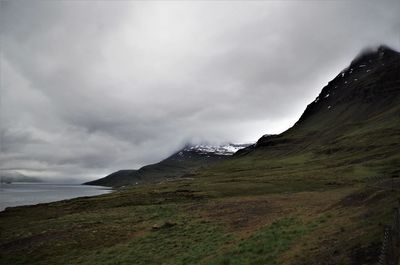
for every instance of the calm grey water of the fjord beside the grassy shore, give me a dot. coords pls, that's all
(16, 194)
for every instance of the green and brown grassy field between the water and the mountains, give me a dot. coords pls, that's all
(272, 219)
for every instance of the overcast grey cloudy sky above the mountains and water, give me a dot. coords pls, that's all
(91, 87)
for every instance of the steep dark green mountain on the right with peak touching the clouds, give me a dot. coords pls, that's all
(352, 128)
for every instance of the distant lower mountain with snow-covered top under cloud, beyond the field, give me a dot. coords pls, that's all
(180, 164)
